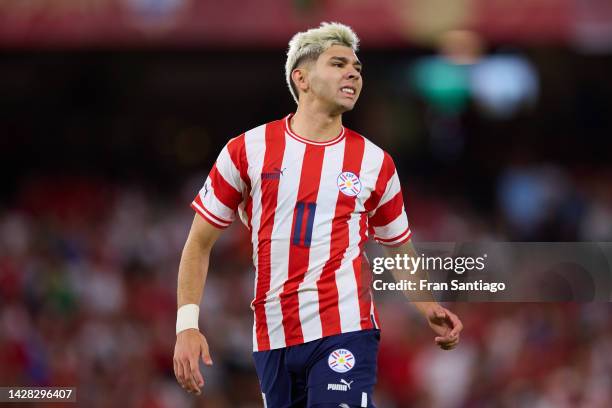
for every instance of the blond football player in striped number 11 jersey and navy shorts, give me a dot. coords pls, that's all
(310, 191)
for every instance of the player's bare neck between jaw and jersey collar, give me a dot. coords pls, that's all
(316, 125)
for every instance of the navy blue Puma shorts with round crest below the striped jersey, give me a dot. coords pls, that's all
(335, 371)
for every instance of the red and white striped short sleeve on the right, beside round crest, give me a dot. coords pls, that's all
(388, 221)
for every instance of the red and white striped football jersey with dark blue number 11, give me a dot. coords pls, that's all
(310, 207)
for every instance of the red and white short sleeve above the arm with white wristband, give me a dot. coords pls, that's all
(218, 200)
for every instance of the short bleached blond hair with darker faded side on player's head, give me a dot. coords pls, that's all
(308, 45)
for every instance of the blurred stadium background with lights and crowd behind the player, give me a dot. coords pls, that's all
(497, 113)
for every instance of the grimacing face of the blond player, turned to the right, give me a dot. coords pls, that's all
(334, 80)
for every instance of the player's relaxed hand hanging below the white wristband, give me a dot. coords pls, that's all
(190, 346)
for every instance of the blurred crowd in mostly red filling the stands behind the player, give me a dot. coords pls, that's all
(87, 299)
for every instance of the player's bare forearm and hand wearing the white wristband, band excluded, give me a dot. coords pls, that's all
(193, 268)
